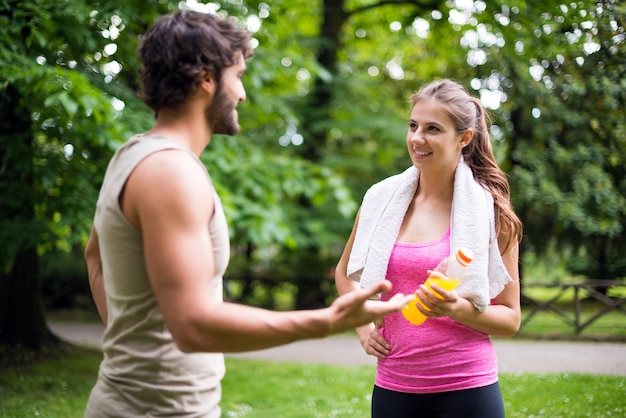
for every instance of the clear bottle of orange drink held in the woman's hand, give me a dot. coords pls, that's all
(454, 268)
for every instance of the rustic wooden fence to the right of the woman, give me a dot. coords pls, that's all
(582, 291)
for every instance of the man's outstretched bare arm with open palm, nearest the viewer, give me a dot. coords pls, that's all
(170, 199)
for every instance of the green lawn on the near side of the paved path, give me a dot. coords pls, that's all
(59, 384)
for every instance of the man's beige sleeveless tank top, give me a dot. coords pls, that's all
(143, 373)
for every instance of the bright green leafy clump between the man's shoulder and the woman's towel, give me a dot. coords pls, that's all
(262, 196)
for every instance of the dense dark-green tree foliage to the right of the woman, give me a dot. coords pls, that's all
(561, 69)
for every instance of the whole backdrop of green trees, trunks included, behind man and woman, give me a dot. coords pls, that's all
(325, 118)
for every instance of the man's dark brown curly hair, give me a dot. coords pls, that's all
(180, 49)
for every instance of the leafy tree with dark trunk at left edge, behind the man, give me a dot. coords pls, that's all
(52, 89)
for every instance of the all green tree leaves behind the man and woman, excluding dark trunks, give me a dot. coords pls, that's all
(552, 73)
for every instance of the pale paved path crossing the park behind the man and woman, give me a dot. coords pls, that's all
(514, 355)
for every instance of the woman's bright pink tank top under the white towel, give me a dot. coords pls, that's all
(440, 355)
